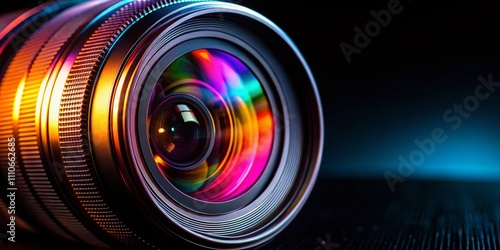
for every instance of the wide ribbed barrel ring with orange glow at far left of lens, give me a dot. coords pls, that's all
(21, 85)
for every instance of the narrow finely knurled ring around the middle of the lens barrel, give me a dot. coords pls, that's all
(73, 117)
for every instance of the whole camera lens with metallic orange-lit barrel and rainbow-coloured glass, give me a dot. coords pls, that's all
(146, 124)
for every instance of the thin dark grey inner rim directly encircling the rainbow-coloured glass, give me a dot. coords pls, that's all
(183, 199)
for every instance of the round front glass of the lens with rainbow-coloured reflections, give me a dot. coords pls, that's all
(211, 127)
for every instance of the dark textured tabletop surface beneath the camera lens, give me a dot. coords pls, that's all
(365, 214)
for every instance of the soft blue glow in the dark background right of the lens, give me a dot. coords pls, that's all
(371, 140)
